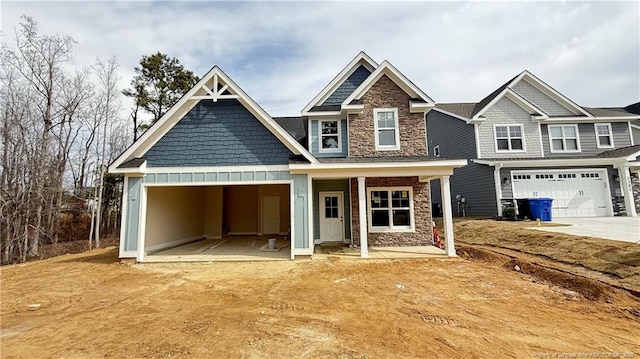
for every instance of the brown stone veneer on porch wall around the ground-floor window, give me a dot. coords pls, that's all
(423, 234)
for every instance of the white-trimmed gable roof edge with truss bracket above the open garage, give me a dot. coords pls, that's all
(214, 85)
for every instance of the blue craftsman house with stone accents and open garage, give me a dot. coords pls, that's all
(353, 168)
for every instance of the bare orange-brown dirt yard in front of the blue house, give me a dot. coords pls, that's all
(92, 306)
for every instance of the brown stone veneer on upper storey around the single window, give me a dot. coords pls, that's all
(386, 94)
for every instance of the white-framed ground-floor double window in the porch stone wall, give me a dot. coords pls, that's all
(391, 209)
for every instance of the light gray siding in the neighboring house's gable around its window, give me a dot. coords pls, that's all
(506, 112)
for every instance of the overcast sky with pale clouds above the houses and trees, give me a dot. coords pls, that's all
(283, 53)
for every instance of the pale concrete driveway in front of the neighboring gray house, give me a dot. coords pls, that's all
(626, 229)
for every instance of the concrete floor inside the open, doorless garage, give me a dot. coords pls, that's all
(229, 249)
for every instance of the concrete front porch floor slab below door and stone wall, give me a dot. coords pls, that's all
(382, 252)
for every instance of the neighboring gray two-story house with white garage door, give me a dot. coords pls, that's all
(528, 140)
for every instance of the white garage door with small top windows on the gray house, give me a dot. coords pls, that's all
(581, 193)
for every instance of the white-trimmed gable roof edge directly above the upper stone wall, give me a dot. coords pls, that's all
(397, 77)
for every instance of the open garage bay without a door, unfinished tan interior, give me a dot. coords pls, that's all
(206, 223)
